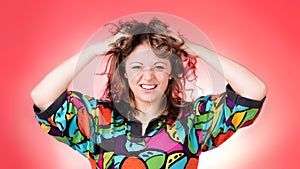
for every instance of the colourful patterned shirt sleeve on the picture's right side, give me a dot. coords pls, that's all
(220, 116)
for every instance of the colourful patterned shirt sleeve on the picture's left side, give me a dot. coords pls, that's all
(68, 120)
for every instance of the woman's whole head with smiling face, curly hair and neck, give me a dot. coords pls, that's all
(138, 78)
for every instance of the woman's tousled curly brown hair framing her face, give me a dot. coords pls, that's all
(155, 33)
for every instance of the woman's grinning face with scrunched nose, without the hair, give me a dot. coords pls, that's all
(147, 74)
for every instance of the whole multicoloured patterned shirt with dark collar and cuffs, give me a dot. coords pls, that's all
(109, 140)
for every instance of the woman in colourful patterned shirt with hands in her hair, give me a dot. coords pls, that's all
(144, 119)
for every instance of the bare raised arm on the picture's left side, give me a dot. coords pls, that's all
(58, 80)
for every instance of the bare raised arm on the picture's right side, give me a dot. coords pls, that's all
(243, 81)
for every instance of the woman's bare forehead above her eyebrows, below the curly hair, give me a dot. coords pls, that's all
(143, 53)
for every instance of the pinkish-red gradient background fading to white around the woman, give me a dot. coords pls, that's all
(36, 36)
